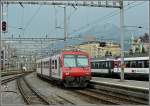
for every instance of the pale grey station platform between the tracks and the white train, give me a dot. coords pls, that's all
(125, 83)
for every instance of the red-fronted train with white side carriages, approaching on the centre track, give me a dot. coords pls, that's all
(70, 68)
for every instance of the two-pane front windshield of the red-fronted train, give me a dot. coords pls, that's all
(75, 61)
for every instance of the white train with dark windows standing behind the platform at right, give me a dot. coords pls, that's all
(134, 67)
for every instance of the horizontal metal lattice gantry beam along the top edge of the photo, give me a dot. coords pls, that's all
(90, 3)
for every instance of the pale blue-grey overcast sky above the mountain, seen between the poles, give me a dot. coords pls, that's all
(41, 20)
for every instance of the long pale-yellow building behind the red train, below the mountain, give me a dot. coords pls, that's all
(100, 49)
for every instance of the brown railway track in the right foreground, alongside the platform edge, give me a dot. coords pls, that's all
(116, 94)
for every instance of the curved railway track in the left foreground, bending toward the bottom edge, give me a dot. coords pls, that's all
(30, 94)
